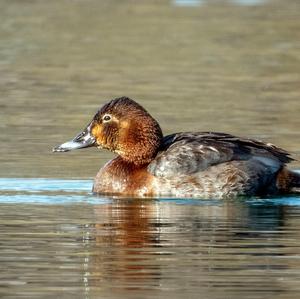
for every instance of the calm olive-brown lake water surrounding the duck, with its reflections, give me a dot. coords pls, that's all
(231, 66)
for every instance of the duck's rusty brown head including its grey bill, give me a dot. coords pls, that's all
(124, 127)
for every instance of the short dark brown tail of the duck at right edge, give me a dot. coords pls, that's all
(288, 181)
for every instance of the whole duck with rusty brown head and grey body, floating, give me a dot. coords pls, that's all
(180, 165)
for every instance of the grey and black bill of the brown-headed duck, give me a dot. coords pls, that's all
(82, 140)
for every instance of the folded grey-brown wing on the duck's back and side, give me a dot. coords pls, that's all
(188, 153)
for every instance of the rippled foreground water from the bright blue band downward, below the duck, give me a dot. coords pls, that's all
(59, 241)
